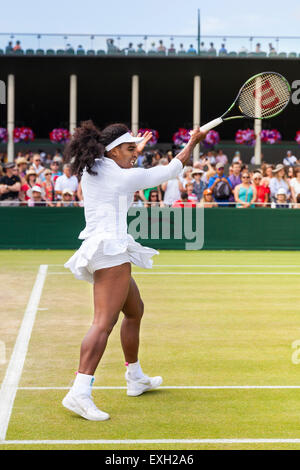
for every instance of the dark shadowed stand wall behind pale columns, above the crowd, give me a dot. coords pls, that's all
(166, 90)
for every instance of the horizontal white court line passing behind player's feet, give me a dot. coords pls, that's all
(180, 387)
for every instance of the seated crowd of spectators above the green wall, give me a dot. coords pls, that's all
(40, 179)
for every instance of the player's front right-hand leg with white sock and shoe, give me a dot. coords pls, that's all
(137, 381)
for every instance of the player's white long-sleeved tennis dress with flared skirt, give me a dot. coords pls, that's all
(107, 198)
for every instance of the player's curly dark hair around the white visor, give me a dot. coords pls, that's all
(88, 143)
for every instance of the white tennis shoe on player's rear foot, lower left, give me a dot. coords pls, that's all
(84, 406)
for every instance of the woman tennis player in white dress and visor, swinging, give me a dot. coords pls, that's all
(106, 159)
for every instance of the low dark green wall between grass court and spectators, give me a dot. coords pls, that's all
(224, 229)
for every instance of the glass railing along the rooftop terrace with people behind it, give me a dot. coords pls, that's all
(161, 44)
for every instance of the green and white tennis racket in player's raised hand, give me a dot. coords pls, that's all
(263, 96)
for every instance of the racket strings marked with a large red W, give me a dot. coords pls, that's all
(264, 96)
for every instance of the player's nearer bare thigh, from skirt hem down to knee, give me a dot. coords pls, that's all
(111, 287)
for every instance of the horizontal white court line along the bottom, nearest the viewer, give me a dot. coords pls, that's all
(156, 441)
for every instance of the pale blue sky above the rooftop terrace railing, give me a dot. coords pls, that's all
(157, 16)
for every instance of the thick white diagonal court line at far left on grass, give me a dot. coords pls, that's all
(14, 369)
